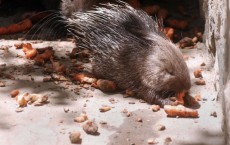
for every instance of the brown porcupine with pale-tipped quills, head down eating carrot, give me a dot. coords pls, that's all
(129, 49)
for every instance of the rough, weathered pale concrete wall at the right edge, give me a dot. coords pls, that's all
(217, 34)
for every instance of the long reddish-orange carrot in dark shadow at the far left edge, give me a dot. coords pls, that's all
(15, 28)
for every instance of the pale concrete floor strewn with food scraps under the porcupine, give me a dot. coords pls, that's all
(50, 124)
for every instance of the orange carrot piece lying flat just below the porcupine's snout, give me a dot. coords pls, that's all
(180, 111)
